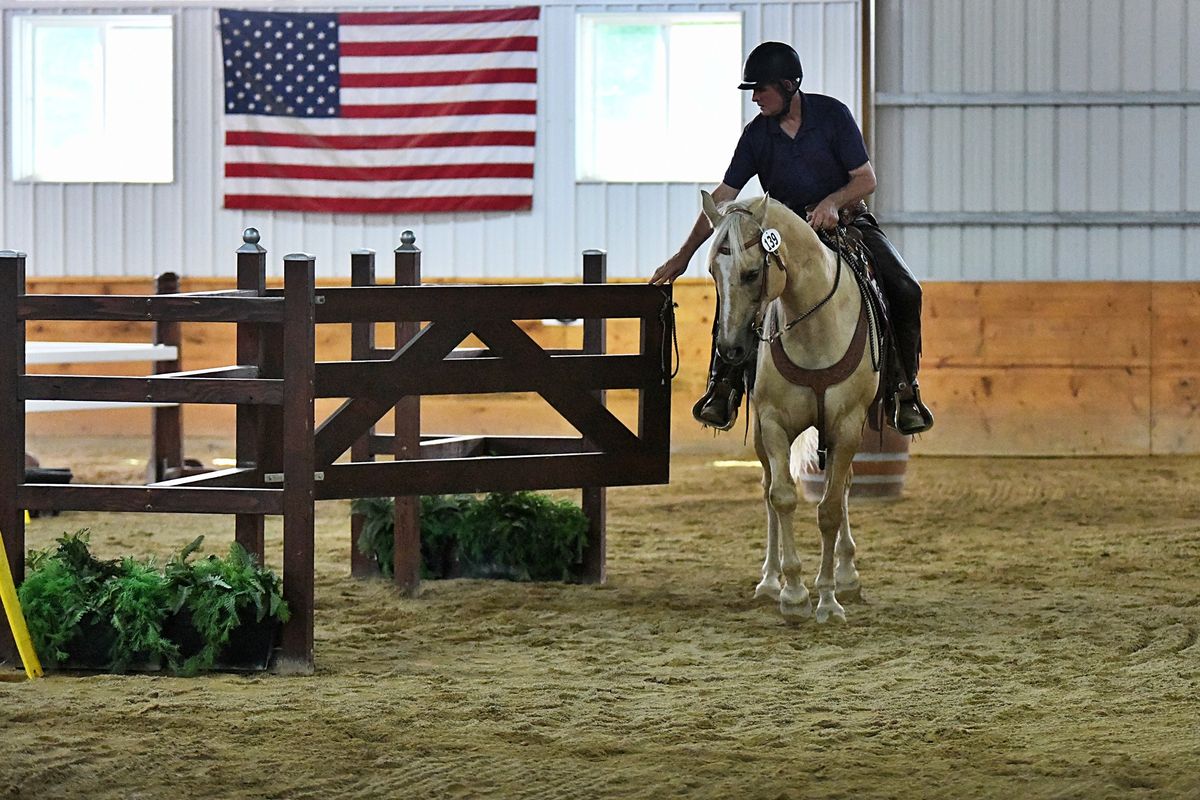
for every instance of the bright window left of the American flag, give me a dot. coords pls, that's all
(93, 99)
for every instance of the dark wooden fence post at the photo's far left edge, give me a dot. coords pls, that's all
(13, 428)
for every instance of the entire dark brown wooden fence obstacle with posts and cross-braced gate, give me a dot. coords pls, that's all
(286, 462)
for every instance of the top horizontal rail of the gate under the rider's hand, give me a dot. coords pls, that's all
(391, 304)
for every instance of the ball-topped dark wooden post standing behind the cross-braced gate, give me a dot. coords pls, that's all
(407, 441)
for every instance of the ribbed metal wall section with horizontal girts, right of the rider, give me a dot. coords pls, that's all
(1041, 140)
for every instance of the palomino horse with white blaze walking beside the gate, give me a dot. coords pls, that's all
(773, 274)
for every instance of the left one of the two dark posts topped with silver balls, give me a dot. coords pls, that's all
(250, 435)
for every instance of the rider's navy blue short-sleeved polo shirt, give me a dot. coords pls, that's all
(807, 170)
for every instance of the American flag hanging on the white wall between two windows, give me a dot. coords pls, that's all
(381, 112)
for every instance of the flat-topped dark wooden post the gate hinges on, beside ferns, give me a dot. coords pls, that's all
(299, 460)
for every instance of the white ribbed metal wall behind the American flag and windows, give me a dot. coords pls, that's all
(141, 231)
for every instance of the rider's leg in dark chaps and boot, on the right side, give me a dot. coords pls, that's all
(904, 305)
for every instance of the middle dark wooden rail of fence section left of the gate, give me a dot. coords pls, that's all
(153, 390)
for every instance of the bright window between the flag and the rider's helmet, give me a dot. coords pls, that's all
(657, 97)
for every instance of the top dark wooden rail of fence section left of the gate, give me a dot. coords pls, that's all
(154, 308)
